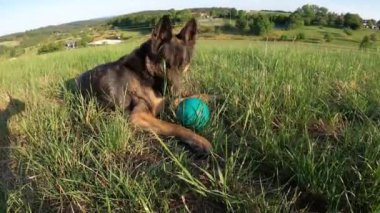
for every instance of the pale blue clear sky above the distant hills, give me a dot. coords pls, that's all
(21, 15)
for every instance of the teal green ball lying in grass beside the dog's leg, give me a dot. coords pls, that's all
(193, 113)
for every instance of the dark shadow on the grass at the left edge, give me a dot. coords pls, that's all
(14, 107)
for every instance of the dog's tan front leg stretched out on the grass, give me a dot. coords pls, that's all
(142, 117)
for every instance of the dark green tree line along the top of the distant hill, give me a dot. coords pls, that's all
(256, 23)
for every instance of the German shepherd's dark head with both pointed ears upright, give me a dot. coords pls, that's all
(172, 50)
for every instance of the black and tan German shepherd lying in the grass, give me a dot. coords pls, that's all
(135, 83)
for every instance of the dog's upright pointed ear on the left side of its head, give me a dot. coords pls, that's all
(162, 32)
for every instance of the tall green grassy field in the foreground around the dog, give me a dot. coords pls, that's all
(298, 129)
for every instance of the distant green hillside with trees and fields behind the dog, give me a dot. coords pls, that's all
(215, 23)
